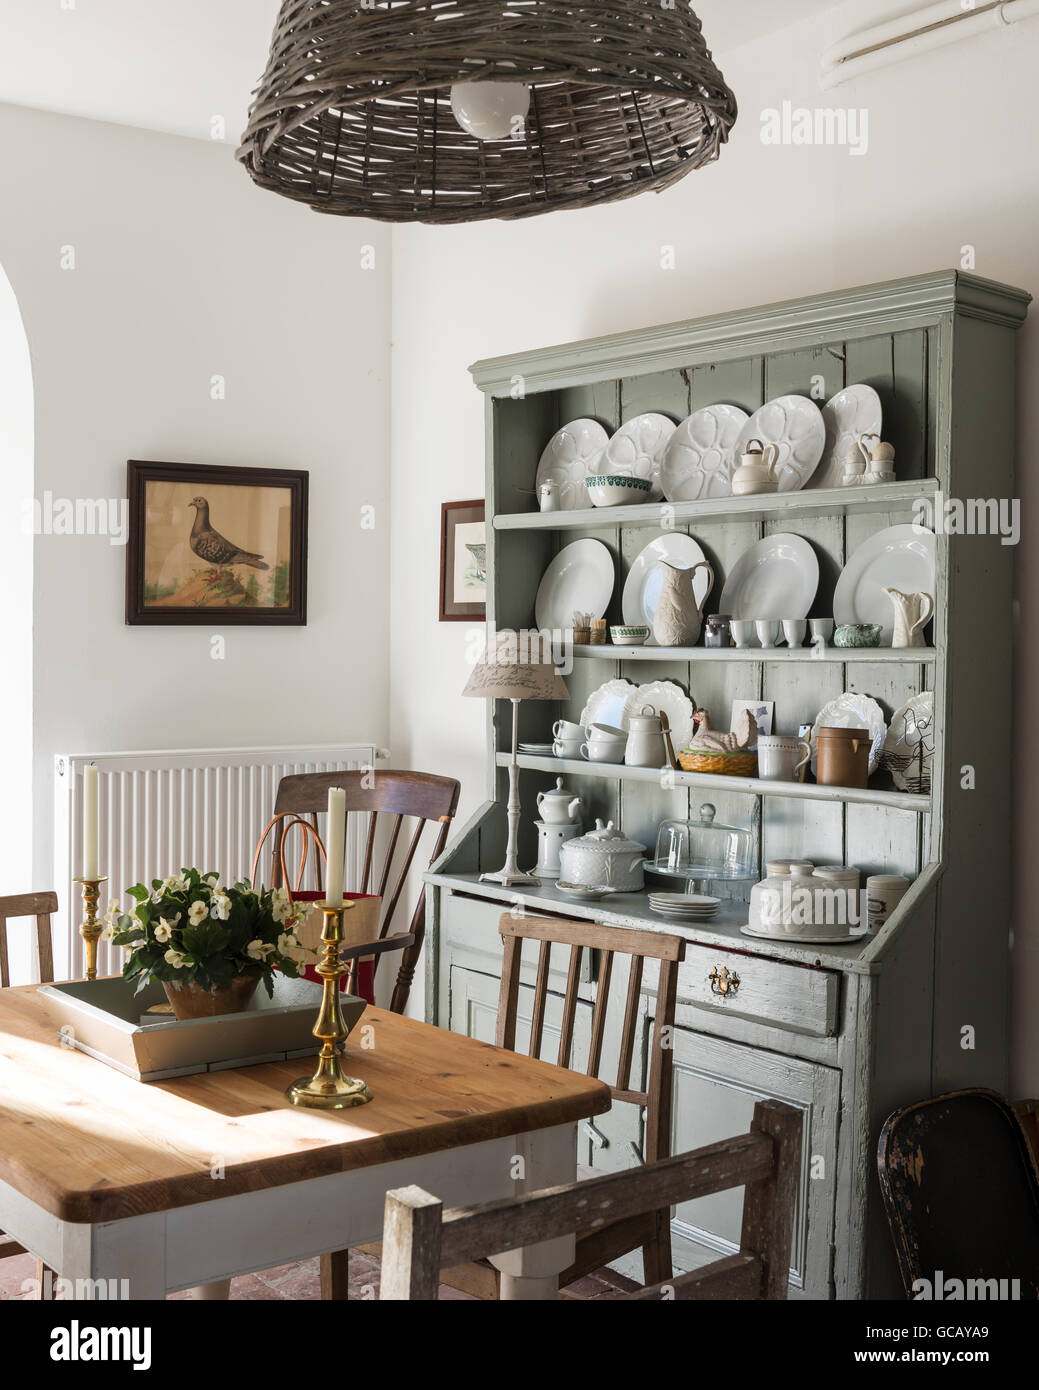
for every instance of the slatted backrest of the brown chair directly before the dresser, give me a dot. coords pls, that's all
(610, 942)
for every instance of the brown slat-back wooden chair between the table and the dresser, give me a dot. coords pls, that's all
(650, 1231)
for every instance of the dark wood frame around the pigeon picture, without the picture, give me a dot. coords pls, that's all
(202, 476)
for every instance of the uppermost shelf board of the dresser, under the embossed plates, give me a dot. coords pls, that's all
(771, 507)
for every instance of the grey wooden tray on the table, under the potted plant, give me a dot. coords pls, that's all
(108, 1021)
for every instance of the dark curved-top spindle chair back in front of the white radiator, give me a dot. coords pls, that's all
(400, 797)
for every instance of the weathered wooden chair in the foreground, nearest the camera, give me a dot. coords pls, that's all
(419, 1238)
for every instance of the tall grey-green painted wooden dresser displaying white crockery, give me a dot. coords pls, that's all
(849, 1032)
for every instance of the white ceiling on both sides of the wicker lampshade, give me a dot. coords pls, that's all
(176, 65)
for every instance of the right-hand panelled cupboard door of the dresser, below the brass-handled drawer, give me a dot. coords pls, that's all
(717, 1085)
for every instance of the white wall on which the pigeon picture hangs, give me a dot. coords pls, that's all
(186, 270)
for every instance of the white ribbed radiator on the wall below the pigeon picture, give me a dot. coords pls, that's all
(166, 811)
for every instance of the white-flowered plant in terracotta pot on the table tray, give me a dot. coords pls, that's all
(207, 945)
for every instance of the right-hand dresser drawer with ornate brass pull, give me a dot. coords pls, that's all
(791, 997)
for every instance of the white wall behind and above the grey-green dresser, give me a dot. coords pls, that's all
(952, 162)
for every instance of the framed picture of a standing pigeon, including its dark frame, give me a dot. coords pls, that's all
(216, 546)
